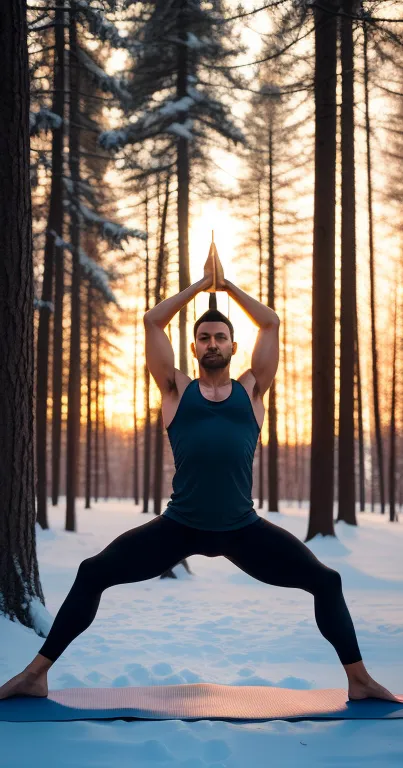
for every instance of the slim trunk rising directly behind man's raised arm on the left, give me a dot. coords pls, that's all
(183, 186)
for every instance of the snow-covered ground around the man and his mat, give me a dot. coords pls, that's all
(217, 625)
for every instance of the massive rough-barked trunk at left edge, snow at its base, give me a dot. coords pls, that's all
(19, 574)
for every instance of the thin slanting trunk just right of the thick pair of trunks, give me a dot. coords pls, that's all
(377, 416)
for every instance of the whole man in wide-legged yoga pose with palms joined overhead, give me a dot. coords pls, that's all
(213, 424)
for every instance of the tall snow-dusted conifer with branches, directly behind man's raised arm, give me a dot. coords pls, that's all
(179, 54)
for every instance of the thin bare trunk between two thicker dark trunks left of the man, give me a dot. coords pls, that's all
(57, 224)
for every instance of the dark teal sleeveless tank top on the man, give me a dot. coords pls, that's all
(213, 445)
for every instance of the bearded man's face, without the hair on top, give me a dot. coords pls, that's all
(213, 346)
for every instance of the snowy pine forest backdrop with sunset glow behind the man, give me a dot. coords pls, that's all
(129, 130)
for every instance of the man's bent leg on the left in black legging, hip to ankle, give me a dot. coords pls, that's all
(137, 555)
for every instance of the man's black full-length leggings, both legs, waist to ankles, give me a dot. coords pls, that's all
(261, 549)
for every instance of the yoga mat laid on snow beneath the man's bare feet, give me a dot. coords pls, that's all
(196, 701)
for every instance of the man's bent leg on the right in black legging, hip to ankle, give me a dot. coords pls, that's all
(272, 555)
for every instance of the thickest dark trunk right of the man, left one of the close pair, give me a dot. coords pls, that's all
(323, 278)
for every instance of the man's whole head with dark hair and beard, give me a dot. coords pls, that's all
(214, 342)
